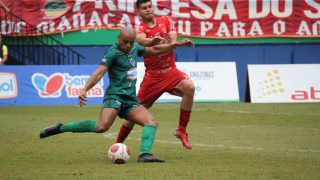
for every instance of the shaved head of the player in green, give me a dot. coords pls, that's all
(126, 39)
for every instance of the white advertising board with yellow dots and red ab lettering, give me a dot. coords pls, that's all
(284, 83)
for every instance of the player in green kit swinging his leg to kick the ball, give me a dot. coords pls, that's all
(120, 97)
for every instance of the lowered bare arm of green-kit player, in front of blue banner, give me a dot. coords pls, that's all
(93, 80)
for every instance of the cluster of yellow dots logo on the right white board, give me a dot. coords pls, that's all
(272, 84)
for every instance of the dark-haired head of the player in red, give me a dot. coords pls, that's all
(145, 9)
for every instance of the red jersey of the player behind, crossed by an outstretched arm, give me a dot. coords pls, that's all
(163, 27)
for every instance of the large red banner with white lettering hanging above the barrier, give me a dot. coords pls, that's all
(196, 18)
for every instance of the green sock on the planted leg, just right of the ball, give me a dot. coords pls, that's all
(148, 134)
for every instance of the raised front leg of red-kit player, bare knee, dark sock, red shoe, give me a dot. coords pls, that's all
(185, 89)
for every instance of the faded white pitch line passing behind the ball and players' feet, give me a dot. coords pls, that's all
(220, 146)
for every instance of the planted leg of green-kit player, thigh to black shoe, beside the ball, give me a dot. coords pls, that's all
(143, 117)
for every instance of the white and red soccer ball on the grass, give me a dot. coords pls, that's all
(119, 153)
